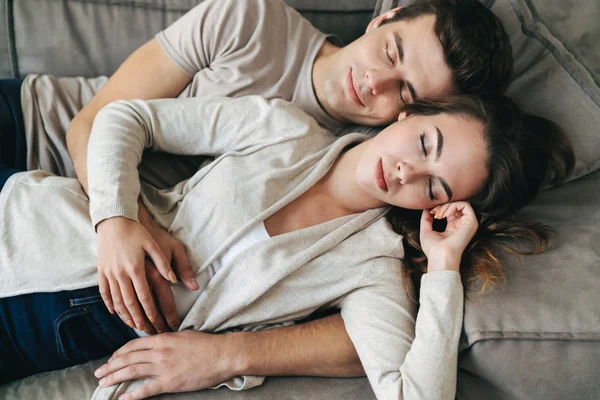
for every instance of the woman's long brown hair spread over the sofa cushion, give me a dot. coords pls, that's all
(524, 153)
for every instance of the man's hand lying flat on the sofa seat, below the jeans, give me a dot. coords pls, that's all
(178, 362)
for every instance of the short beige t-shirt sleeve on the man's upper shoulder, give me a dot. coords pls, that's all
(210, 31)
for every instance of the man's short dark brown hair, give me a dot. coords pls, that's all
(476, 46)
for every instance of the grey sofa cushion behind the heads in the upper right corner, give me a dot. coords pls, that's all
(556, 65)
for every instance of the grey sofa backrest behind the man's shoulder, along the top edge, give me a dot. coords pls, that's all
(93, 37)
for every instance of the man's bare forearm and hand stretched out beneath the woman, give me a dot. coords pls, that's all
(191, 360)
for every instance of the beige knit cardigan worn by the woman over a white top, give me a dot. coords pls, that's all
(272, 152)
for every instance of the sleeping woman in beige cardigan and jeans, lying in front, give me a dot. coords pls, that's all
(281, 225)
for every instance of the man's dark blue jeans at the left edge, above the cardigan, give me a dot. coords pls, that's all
(13, 149)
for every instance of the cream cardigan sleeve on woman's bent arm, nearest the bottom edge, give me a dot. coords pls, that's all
(406, 358)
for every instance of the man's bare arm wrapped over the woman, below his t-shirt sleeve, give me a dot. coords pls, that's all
(147, 74)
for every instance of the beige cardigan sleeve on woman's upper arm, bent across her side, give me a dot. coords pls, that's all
(194, 126)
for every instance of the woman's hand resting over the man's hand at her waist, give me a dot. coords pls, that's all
(123, 273)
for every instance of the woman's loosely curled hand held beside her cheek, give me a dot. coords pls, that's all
(444, 249)
